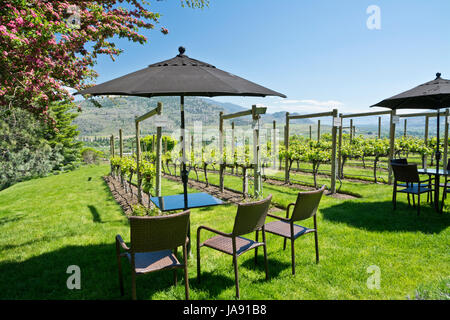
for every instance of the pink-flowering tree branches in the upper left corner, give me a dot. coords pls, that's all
(48, 45)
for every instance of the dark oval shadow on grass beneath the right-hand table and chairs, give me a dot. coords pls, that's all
(380, 216)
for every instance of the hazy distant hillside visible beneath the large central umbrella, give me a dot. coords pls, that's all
(119, 112)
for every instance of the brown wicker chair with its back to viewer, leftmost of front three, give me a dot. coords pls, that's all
(152, 242)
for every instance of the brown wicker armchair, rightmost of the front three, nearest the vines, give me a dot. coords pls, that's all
(304, 208)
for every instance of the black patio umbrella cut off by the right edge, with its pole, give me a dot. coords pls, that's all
(433, 94)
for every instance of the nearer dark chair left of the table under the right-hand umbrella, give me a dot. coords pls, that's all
(408, 174)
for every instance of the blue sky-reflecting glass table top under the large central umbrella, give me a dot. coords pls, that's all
(176, 202)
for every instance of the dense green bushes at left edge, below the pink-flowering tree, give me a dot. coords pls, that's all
(30, 147)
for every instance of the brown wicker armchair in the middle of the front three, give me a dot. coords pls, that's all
(250, 217)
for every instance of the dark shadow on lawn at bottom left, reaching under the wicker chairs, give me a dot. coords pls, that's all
(45, 276)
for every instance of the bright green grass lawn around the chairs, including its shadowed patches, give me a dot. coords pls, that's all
(51, 223)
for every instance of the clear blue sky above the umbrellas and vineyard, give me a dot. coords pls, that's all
(319, 53)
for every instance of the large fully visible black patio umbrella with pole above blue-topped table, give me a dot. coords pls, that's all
(181, 76)
